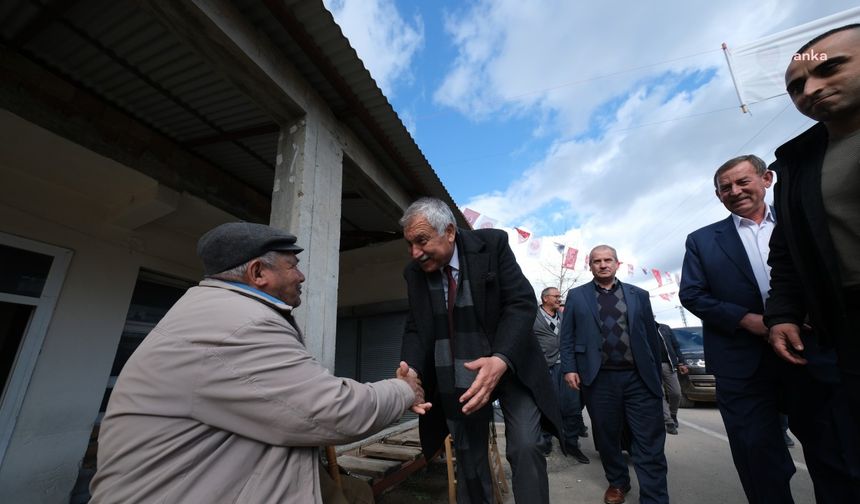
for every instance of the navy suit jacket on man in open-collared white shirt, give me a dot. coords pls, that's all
(719, 287)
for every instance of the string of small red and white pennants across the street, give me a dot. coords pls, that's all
(534, 245)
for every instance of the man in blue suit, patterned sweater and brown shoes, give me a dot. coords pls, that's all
(610, 351)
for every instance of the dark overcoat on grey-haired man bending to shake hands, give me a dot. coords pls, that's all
(505, 304)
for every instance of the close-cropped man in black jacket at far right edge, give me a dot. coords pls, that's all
(815, 248)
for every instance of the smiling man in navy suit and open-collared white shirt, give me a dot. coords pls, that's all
(725, 283)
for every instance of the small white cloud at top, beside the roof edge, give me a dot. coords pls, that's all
(385, 41)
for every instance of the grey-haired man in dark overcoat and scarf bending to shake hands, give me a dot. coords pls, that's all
(468, 337)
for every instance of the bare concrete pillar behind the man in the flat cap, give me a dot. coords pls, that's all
(306, 200)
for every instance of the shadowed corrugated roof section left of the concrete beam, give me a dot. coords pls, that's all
(125, 55)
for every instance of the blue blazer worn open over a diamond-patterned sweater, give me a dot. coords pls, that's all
(582, 341)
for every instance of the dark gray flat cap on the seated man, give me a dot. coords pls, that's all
(235, 243)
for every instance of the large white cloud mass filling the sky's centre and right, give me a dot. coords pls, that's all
(641, 179)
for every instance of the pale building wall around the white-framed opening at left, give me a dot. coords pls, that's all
(78, 210)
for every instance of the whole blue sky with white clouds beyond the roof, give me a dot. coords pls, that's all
(581, 122)
